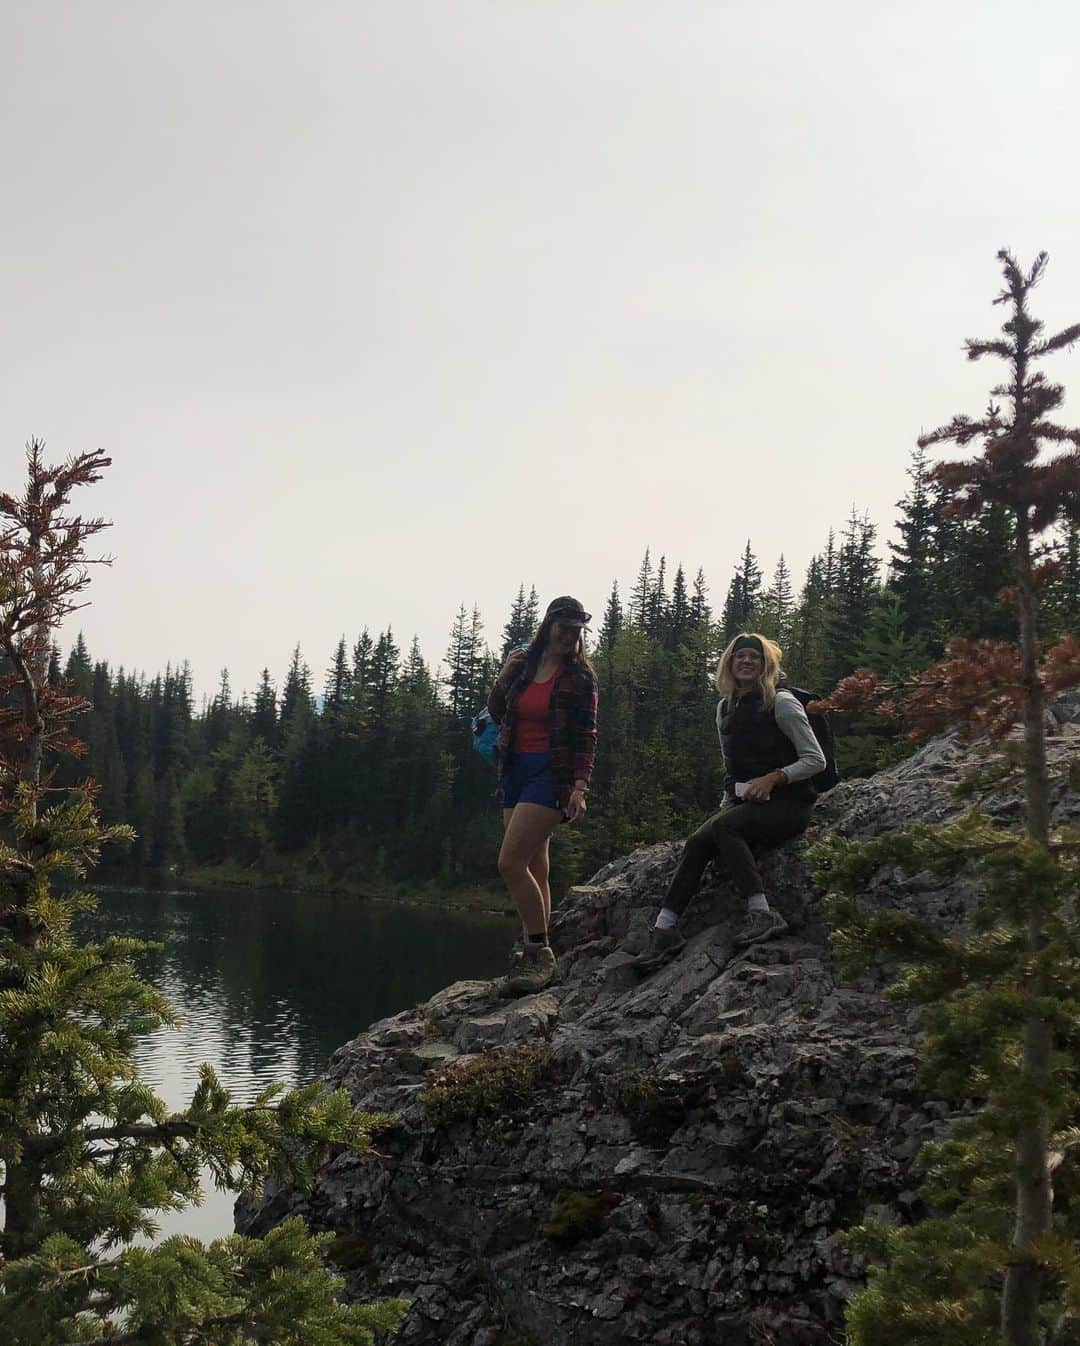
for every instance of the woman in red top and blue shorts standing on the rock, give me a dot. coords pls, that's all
(546, 703)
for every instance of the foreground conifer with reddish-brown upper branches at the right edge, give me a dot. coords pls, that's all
(1003, 1024)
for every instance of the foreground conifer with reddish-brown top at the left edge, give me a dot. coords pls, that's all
(90, 1154)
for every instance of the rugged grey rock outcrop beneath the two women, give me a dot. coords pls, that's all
(662, 1161)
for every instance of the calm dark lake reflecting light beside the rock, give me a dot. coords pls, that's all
(271, 983)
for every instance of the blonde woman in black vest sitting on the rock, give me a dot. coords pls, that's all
(770, 756)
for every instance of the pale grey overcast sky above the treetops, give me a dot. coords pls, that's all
(387, 308)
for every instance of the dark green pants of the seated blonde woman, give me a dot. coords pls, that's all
(728, 837)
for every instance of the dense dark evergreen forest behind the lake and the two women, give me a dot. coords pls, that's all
(366, 777)
